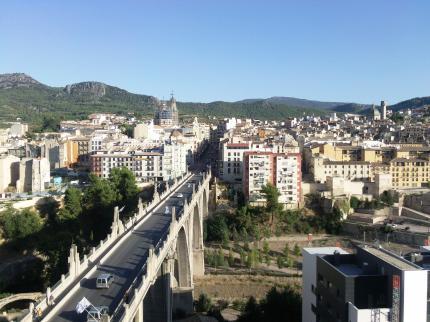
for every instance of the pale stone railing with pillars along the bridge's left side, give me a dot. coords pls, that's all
(98, 253)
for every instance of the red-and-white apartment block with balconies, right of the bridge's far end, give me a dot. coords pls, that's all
(281, 170)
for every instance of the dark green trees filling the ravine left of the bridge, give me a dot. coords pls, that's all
(84, 219)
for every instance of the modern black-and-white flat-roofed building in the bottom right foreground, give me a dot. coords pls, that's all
(371, 284)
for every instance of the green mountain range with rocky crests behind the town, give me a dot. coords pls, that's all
(23, 96)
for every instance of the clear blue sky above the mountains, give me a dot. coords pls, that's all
(333, 50)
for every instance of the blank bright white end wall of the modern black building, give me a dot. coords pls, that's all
(414, 300)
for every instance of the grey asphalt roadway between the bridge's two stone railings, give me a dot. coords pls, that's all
(125, 261)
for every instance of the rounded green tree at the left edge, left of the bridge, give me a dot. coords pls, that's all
(20, 224)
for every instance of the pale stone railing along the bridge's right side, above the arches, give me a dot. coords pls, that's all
(142, 282)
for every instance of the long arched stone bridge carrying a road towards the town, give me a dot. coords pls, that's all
(153, 258)
